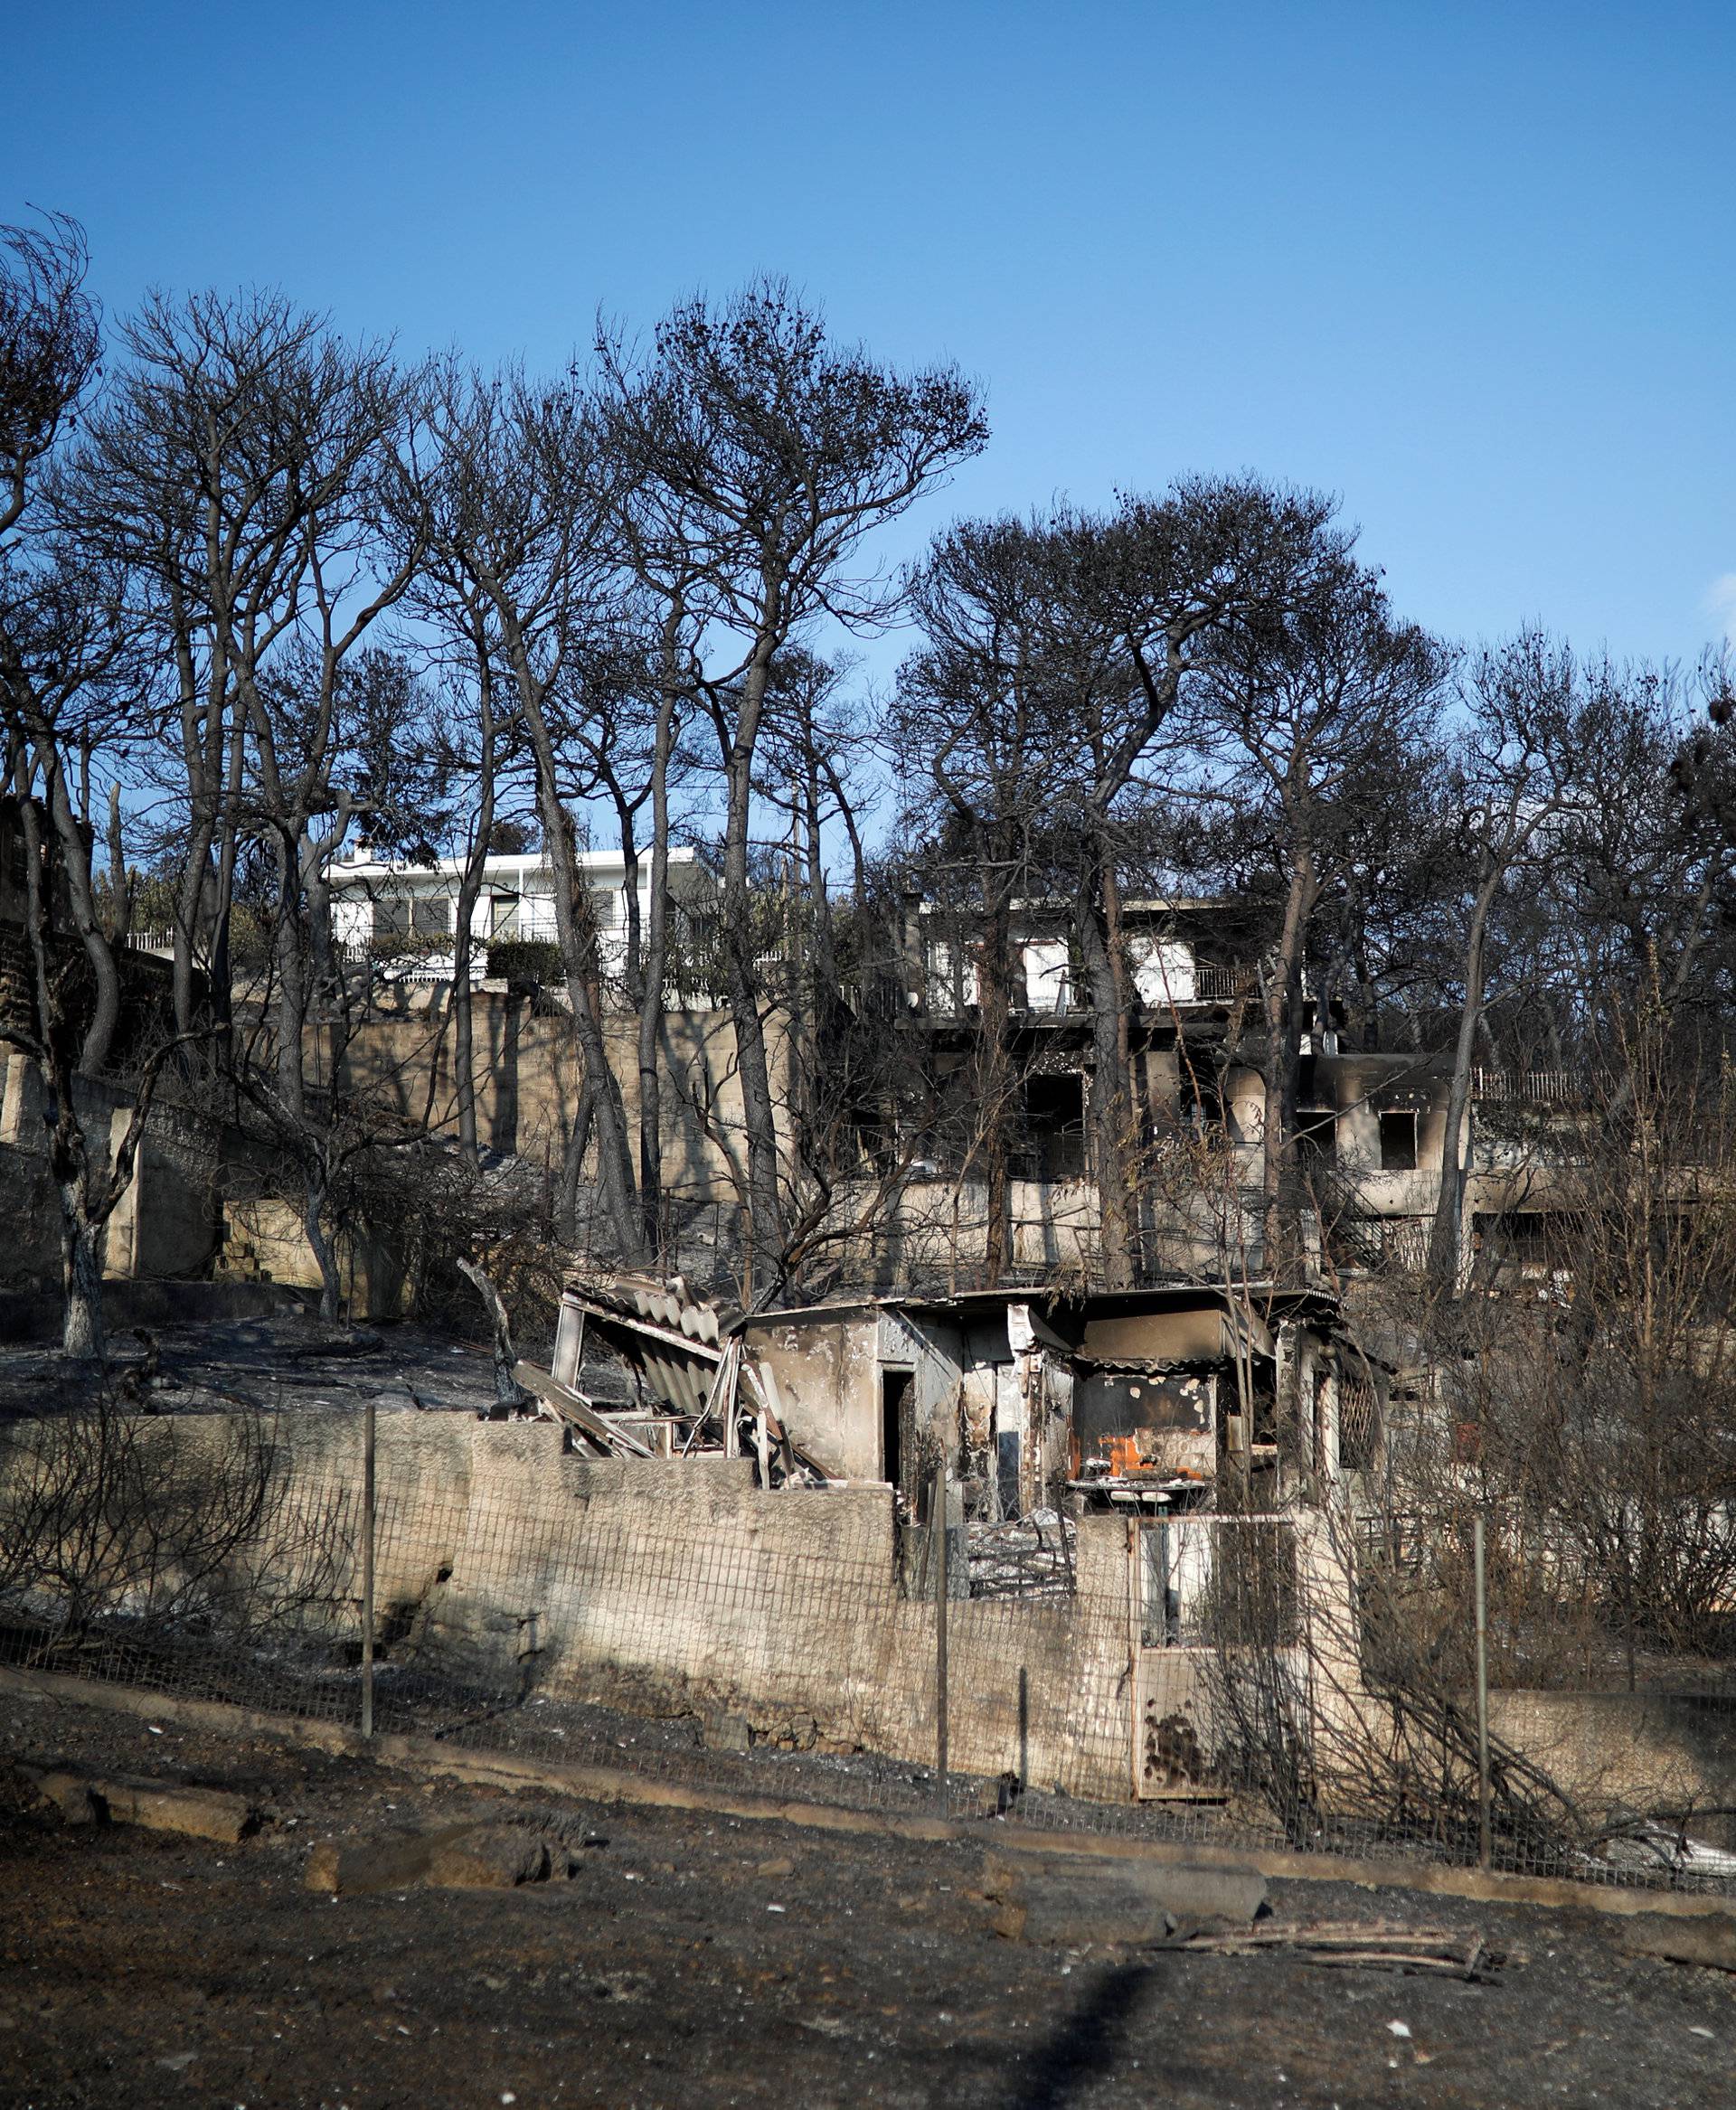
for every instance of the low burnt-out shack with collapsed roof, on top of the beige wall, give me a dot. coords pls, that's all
(1144, 1400)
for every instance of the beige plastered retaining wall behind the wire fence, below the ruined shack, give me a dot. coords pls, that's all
(676, 1588)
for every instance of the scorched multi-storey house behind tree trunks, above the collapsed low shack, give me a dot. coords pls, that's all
(1370, 1128)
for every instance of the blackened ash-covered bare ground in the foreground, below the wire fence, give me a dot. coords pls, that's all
(703, 1961)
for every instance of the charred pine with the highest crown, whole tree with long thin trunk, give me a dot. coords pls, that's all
(756, 457)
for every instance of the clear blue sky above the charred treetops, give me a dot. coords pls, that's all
(1469, 267)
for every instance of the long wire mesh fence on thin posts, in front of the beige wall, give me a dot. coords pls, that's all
(1174, 1679)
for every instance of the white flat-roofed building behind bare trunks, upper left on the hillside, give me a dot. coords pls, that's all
(402, 913)
